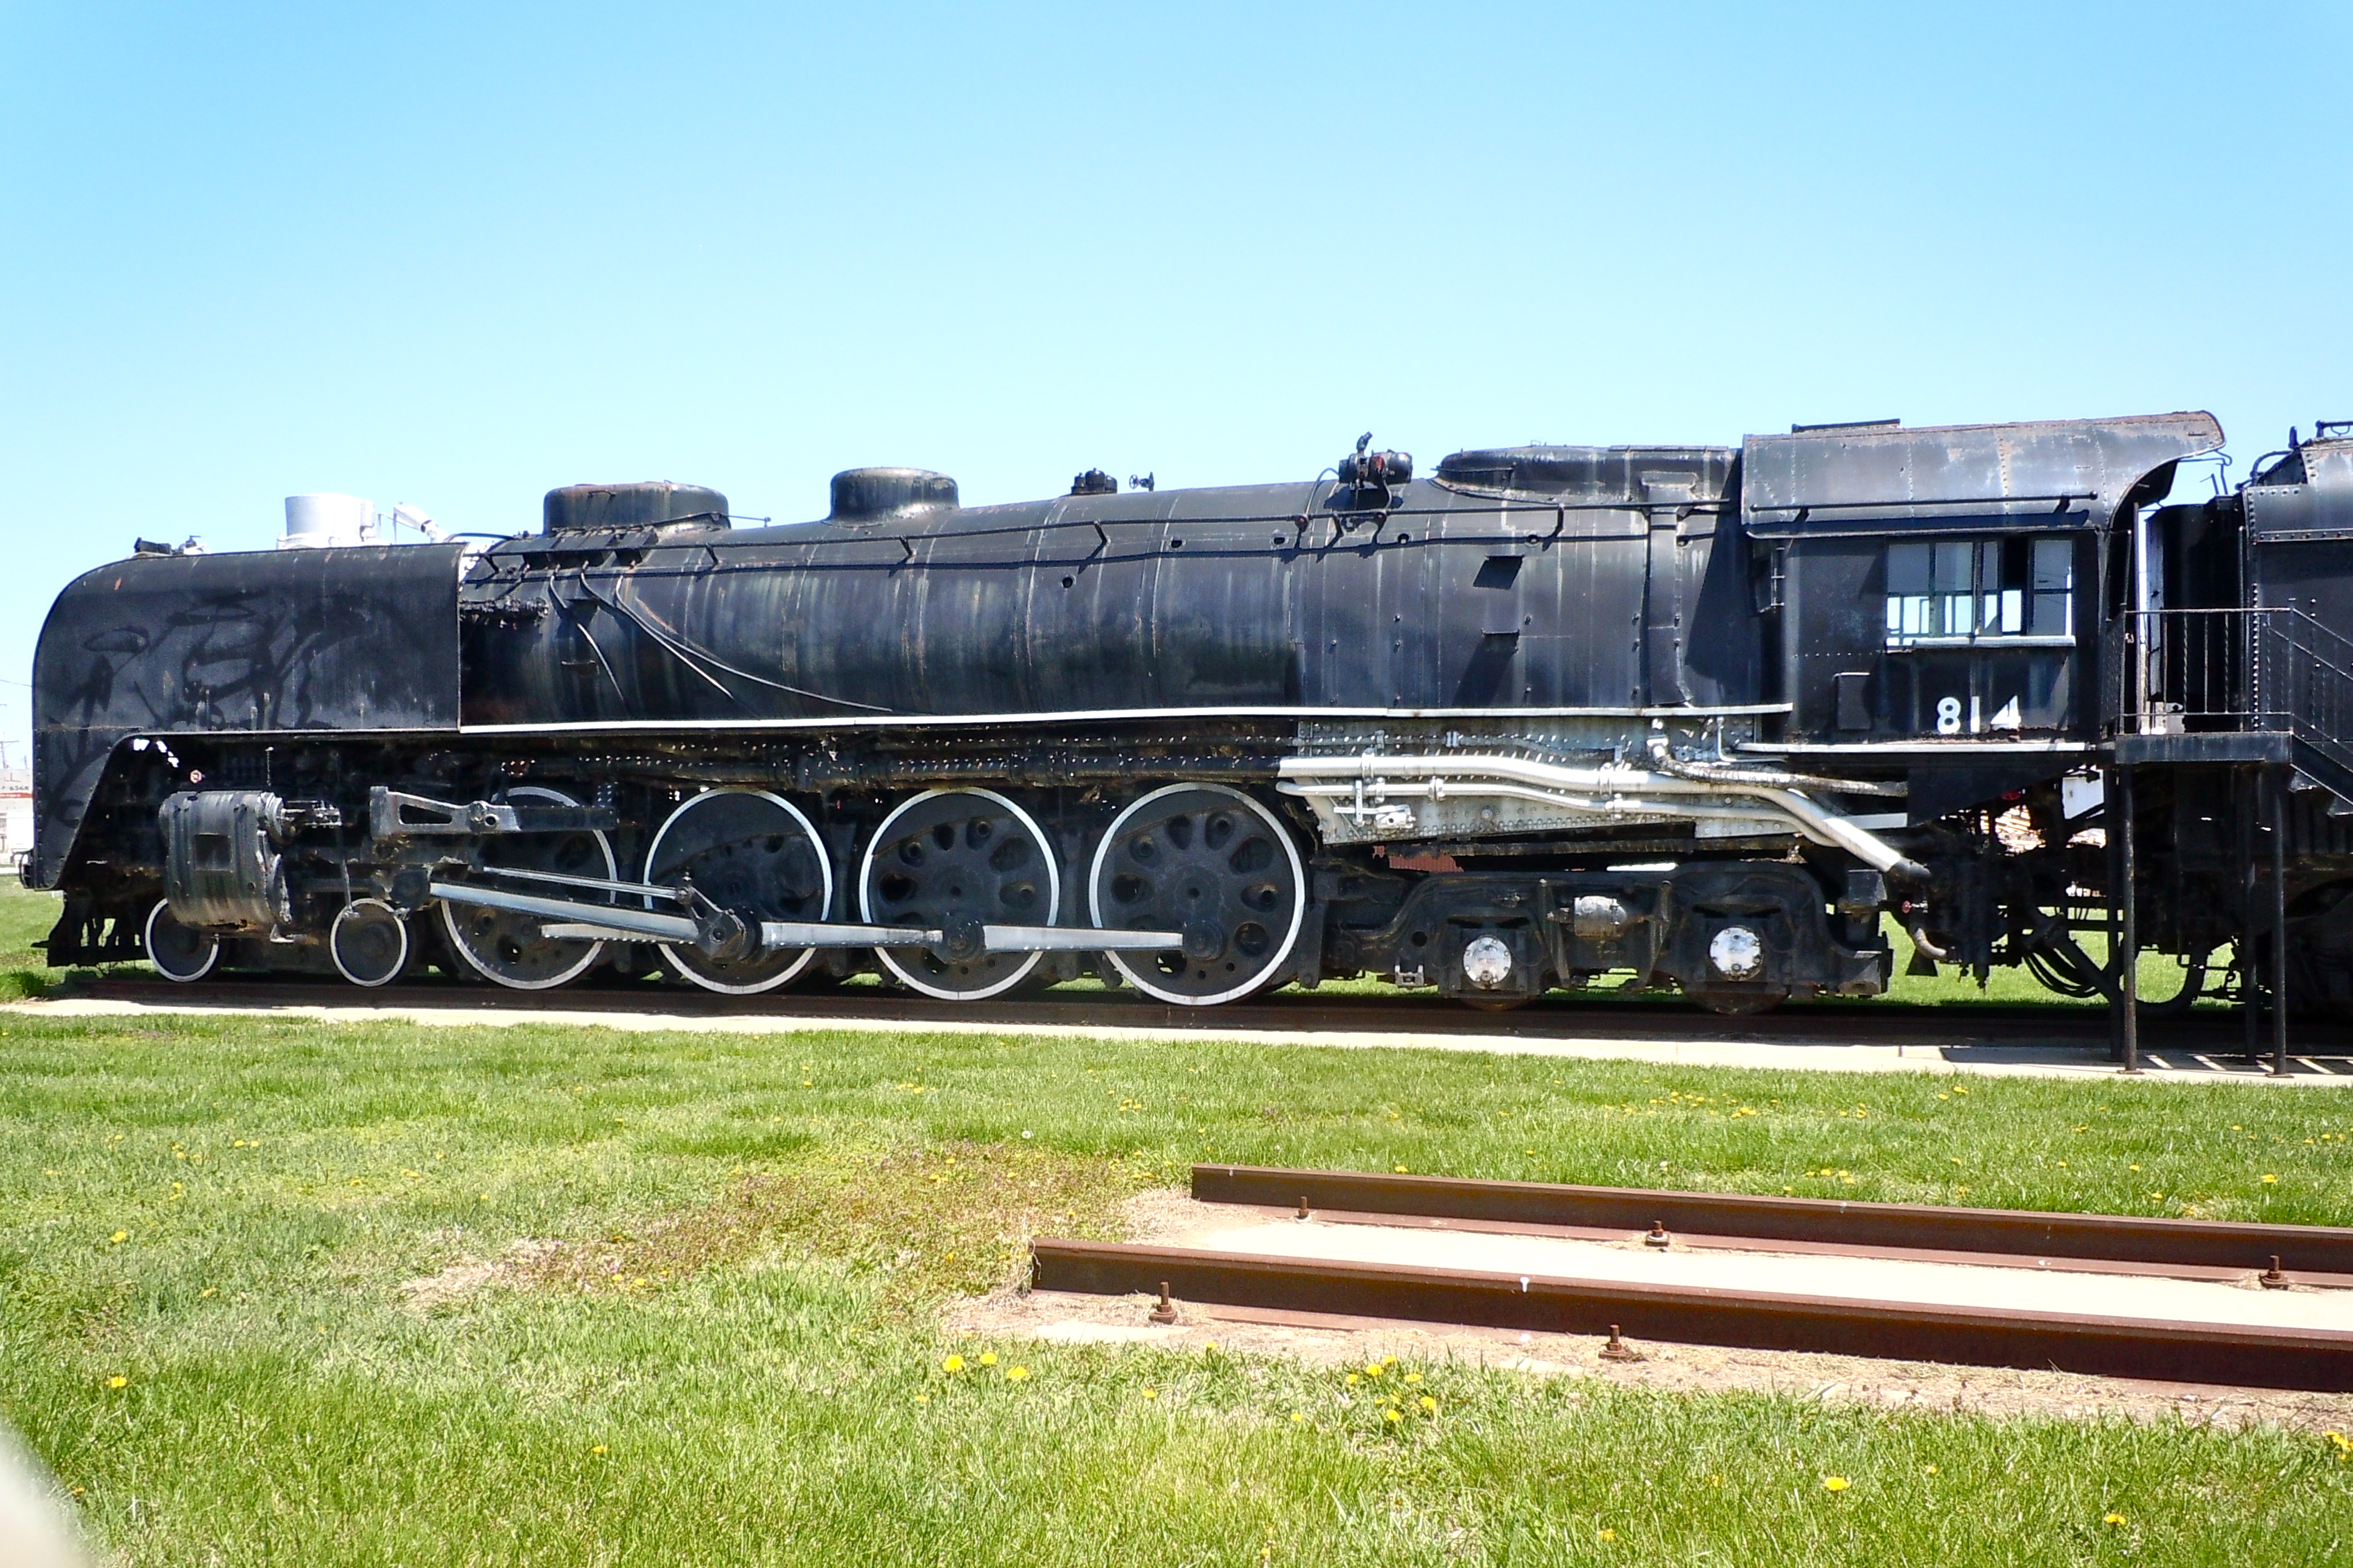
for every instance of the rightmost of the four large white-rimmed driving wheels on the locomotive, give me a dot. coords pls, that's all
(1211, 864)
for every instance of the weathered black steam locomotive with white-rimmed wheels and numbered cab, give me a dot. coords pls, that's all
(1592, 718)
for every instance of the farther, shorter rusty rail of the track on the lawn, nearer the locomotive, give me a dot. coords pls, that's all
(2022, 1233)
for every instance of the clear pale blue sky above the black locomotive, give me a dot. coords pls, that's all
(460, 255)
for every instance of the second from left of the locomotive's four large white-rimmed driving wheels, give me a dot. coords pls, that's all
(754, 855)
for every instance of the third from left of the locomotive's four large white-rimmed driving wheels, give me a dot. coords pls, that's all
(956, 862)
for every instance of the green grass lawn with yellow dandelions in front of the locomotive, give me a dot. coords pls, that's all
(738, 1358)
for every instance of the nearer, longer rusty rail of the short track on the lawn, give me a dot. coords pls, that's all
(1695, 1315)
